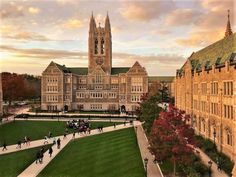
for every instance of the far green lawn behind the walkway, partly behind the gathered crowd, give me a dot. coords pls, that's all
(15, 131)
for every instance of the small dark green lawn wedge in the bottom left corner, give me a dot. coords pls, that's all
(13, 164)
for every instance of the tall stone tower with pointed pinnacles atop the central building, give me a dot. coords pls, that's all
(100, 46)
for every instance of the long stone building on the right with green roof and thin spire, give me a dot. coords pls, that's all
(205, 87)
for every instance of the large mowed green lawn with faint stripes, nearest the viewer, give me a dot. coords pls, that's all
(114, 154)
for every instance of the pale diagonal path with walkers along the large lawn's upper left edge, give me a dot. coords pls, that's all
(34, 169)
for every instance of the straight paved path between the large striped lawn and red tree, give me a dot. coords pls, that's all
(153, 169)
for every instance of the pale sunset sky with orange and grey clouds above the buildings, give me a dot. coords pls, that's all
(158, 34)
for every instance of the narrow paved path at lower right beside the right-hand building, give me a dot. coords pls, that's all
(205, 159)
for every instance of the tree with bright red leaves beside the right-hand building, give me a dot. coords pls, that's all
(170, 137)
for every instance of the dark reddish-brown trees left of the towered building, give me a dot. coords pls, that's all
(19, 87)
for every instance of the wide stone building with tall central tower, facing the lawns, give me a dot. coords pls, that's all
(98, 87)
